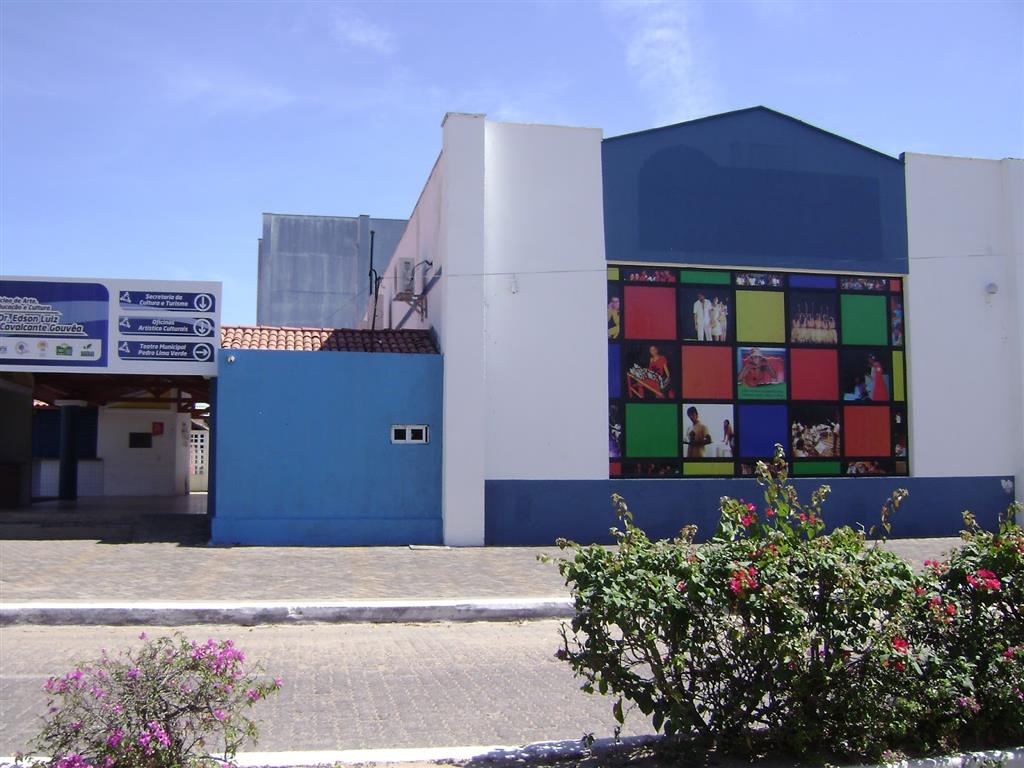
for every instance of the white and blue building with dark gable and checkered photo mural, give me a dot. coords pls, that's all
(825, 251)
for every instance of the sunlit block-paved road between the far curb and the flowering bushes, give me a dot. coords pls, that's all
(356, 687)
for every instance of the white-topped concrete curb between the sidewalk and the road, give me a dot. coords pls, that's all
(250, 614)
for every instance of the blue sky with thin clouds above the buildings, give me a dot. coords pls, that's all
(145, 140)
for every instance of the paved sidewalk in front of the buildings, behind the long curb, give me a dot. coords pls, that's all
(90, 571)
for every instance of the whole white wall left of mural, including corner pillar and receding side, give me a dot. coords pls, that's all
(513, 217)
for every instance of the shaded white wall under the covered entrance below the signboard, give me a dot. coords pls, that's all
(161, 471)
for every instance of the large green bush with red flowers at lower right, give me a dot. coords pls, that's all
(775, 635)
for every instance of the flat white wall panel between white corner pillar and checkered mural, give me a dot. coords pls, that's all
(546, 288)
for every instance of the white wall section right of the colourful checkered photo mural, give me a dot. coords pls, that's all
(966, 347)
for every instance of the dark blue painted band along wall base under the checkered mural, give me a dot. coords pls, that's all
(537, 513)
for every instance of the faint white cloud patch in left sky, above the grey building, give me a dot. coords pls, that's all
(221, 92)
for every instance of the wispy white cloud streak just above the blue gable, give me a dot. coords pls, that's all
(663, 55)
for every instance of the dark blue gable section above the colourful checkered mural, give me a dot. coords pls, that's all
(754, 188)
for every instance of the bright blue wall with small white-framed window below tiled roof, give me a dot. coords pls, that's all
(304, 451)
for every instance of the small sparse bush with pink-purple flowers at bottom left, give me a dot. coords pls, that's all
(172, 704)
